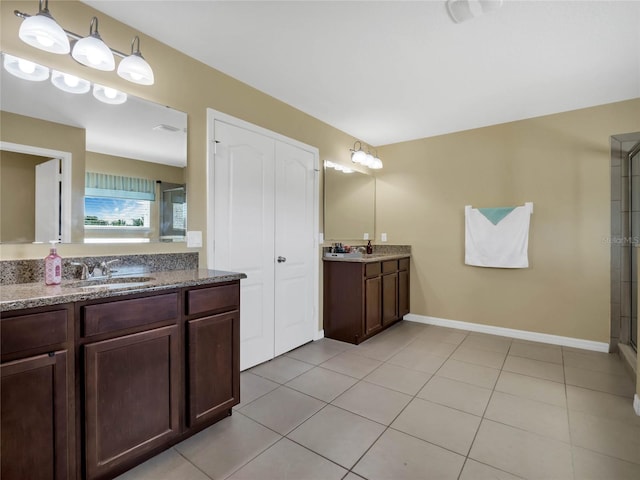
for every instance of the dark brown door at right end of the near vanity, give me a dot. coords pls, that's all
(214, 366)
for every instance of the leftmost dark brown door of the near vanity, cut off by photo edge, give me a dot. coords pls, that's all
(35, 418)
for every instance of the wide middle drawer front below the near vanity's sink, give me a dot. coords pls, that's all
(123, 314)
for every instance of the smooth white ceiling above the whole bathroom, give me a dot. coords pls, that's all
(391, 71)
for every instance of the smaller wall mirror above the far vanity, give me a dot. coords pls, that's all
(349, 203)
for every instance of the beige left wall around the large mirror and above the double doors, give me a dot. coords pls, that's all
(182, 83)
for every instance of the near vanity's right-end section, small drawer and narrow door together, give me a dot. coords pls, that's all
(213, 351)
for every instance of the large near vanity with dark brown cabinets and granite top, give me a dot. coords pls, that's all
(95, 380)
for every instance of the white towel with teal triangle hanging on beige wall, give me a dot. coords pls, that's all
(497, 237)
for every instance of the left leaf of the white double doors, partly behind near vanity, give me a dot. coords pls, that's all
(244, 232)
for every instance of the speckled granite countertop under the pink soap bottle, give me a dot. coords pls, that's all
(28, 295)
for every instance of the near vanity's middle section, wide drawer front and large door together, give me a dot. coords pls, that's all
(132, 381)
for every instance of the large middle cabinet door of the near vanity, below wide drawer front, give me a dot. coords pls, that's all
(132, 391)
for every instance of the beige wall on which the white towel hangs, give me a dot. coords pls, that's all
(561, 163)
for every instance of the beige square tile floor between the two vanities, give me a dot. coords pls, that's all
(420, 402)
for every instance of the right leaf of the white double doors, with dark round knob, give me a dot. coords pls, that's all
(294, 247)
